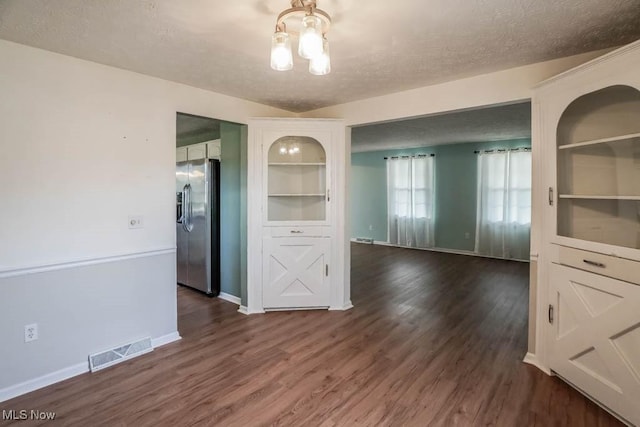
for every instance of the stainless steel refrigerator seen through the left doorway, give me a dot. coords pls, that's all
(198, 224)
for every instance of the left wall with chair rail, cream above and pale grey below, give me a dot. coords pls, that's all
(82, 147)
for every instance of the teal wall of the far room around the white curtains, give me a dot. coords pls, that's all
(456, 186)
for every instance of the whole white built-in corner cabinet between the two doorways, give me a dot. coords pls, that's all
(297, 209)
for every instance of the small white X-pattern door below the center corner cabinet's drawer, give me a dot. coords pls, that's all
(296, 272)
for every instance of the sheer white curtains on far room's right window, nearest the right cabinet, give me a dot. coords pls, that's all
(504, 204)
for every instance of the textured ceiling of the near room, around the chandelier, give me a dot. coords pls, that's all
(377, 47)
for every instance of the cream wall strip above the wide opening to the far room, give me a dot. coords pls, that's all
(506, 86)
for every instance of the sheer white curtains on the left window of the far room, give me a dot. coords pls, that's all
(410, 201)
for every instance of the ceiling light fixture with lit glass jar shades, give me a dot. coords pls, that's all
(312, 41)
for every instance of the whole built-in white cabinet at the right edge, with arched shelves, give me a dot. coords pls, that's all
(587, 133)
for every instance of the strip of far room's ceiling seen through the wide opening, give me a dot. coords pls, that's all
(483, 124)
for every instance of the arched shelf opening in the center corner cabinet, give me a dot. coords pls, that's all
(297, 180)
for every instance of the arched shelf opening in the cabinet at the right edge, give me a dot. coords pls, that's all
(598, 168)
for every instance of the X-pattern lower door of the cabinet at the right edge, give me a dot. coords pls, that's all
(595, 344)
